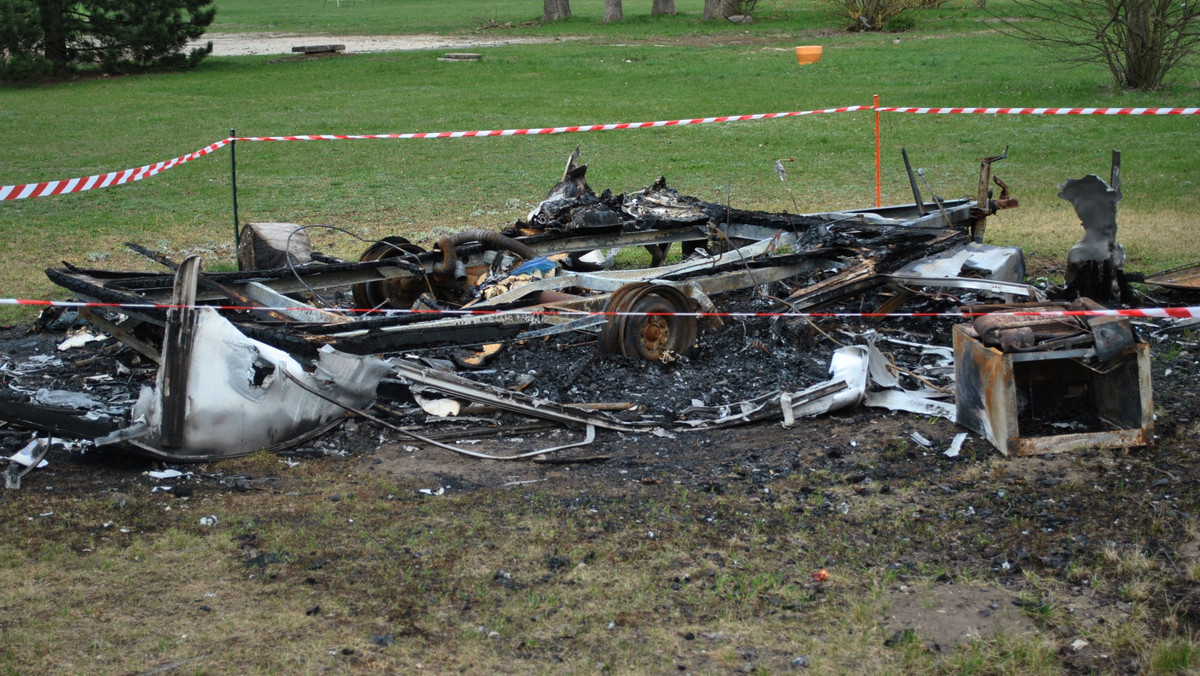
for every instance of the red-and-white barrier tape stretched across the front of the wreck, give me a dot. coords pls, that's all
(1142, 313)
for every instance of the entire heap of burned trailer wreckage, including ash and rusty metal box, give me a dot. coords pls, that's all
(559, 319)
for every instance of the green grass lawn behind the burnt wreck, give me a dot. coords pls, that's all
(611, 74)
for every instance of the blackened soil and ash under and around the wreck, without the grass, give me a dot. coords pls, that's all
(991, 517)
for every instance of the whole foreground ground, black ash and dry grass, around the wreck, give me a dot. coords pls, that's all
(694, 552)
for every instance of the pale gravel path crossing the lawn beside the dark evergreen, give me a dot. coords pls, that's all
(247, 44)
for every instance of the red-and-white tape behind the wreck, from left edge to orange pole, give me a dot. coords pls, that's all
(127, 176)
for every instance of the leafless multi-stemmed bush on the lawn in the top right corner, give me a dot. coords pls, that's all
(1141, 41)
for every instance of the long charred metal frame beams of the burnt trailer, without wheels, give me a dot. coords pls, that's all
(850, 252)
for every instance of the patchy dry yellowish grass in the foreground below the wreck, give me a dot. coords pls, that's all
(639, 579)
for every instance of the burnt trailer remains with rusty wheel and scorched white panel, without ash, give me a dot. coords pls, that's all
(463, 294)
